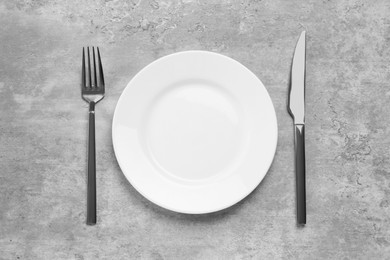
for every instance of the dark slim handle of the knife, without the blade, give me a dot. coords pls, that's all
(300, 170)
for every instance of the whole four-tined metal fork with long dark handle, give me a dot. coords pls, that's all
(92, 91)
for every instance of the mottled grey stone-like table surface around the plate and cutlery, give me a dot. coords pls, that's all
(43, 129)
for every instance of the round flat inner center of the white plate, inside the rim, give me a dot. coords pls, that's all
(194, 130)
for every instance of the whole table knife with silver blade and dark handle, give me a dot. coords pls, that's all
(296, 108)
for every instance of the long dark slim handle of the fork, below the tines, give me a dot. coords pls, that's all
(91, 193)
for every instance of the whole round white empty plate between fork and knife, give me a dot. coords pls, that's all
(195, 132)
